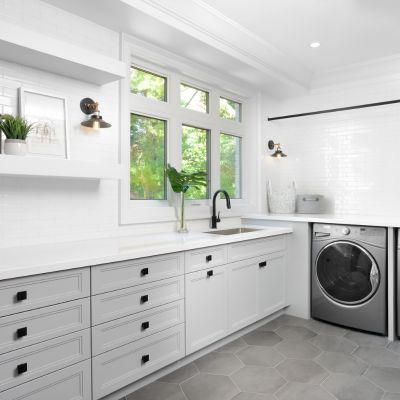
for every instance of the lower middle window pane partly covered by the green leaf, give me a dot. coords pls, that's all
(195, 145)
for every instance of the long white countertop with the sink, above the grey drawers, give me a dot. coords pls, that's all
(30, 260)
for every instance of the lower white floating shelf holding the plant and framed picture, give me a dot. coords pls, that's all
(57, 168)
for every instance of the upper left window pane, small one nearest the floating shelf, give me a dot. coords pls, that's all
(146, 84)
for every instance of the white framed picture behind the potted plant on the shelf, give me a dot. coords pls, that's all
(48, 112)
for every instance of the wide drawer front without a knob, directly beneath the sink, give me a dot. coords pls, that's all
(254, 248)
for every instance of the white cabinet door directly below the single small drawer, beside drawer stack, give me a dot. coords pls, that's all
(206, 307)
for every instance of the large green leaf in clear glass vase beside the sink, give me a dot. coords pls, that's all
(181, 182)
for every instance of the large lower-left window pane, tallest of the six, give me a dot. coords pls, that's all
(148, 137)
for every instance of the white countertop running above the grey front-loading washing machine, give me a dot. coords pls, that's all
(368, 220)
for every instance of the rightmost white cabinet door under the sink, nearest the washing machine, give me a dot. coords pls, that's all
(272, 284)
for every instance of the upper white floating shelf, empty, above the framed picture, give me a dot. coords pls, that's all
(26, 47)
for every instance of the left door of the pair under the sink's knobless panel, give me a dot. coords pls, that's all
(243, 293)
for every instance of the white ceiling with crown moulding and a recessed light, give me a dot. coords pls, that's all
(264, 43)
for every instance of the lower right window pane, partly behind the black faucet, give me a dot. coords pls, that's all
(230, 165)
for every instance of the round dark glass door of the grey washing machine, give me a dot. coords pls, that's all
(347, 273)
